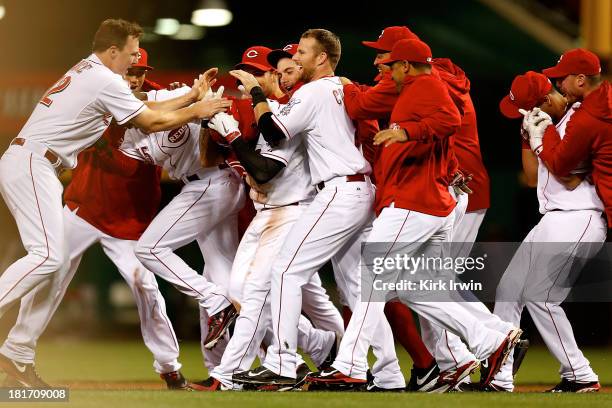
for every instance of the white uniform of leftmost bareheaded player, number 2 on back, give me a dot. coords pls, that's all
(70, 117)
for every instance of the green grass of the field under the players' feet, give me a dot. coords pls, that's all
(130, 362)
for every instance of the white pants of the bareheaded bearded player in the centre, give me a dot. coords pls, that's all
(330, 228)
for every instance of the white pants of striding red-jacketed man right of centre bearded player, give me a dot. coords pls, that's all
(412, 233)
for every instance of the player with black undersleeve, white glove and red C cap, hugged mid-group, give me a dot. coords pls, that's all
(281, 189)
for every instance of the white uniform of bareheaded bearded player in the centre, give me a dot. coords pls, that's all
(331, 225)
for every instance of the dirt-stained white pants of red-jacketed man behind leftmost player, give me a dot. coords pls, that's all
(157, 331)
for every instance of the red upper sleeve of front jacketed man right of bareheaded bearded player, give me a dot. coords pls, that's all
(443, 121)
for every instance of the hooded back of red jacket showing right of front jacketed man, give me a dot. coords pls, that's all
(466, 141)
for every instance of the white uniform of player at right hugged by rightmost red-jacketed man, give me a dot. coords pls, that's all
(571, 232)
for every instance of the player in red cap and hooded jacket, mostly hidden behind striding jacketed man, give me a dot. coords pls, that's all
(377, 102)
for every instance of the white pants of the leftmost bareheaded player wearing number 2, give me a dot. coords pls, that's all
(33, 194)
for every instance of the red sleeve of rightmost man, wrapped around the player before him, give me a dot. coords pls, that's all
(563, 155)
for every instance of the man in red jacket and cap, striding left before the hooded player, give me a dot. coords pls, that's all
(423, 118)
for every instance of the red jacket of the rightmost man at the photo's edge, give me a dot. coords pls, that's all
(588, 136)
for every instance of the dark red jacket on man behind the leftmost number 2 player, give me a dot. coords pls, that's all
(114, 193)
